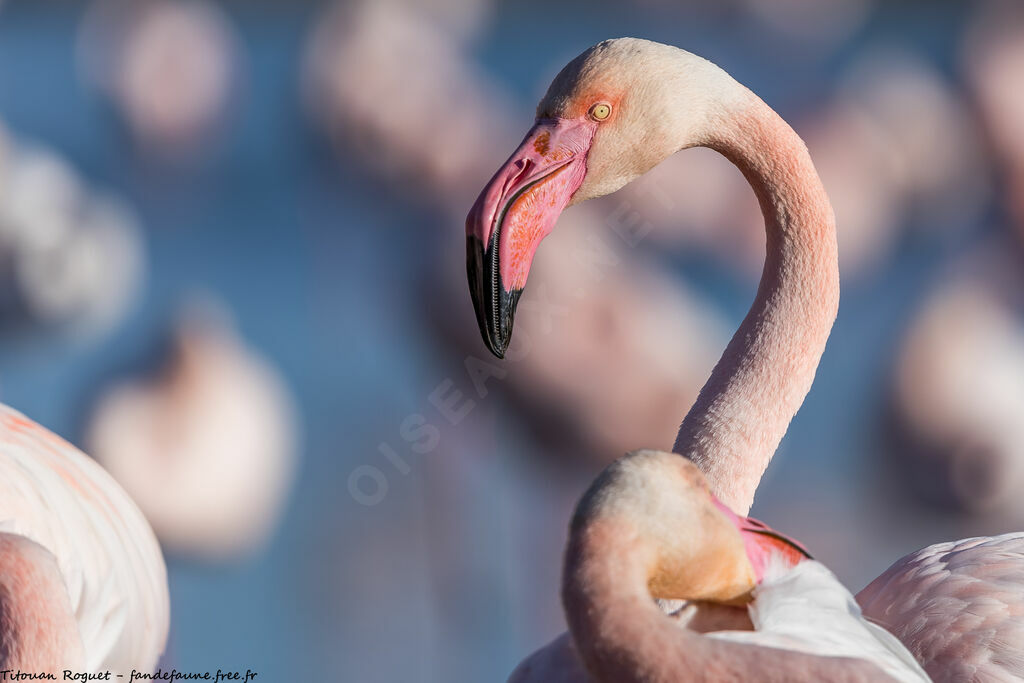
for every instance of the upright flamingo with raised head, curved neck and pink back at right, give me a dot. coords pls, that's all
(609, 117)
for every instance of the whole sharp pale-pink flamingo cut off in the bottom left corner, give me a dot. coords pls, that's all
(82, 581)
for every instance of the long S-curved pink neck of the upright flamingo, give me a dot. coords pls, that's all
(759, 385)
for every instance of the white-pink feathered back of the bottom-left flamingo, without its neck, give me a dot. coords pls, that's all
(56, 496)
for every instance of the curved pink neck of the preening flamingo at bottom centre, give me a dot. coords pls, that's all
(622, 636)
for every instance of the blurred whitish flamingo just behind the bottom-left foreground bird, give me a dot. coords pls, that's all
(208, 448)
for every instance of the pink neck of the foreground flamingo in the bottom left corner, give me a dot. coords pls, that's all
(38, 630)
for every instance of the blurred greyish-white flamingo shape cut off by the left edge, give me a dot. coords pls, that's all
(73, 255)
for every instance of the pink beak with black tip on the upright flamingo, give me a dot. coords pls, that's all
(517, 210)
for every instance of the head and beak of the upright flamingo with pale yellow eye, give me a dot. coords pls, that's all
(612, 115)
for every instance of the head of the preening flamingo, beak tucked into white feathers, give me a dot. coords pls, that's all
(657, 508)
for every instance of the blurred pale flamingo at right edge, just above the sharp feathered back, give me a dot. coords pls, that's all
(958, 398)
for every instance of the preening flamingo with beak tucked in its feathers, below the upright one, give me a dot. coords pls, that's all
(651, 528)
